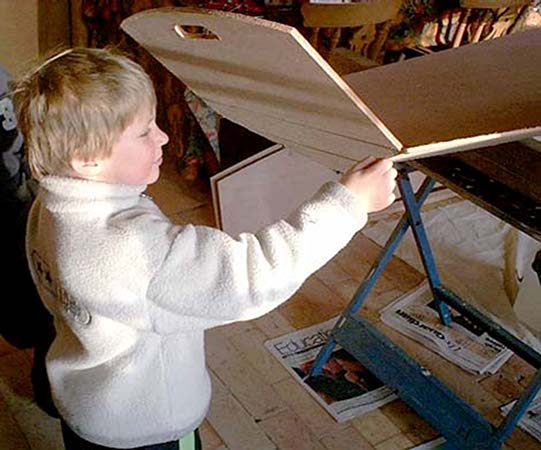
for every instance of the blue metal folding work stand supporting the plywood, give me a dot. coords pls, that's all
(461, 425)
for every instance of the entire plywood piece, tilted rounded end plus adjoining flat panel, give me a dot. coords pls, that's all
(266, 77)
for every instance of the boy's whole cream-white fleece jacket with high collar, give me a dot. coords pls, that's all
(132, 294)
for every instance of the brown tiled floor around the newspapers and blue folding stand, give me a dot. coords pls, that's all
(256, 404)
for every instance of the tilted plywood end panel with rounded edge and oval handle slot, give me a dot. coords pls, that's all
(264, 76)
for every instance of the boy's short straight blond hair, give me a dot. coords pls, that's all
(76, 104)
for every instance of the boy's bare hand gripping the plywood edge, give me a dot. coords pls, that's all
(373, 181)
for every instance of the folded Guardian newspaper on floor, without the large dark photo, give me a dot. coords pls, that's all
(462, 343)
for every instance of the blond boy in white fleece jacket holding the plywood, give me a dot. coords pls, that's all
(132, 293)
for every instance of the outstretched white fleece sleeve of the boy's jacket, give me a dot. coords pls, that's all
(209, 278)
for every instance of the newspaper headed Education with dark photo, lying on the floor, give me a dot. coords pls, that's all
(345, 388)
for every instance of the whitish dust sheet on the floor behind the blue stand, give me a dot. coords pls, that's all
(478, 256)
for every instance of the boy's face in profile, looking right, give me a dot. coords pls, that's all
(137, 155)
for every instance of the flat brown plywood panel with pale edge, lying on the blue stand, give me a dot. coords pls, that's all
(480, 93)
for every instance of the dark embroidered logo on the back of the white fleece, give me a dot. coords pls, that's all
(46, 281)
